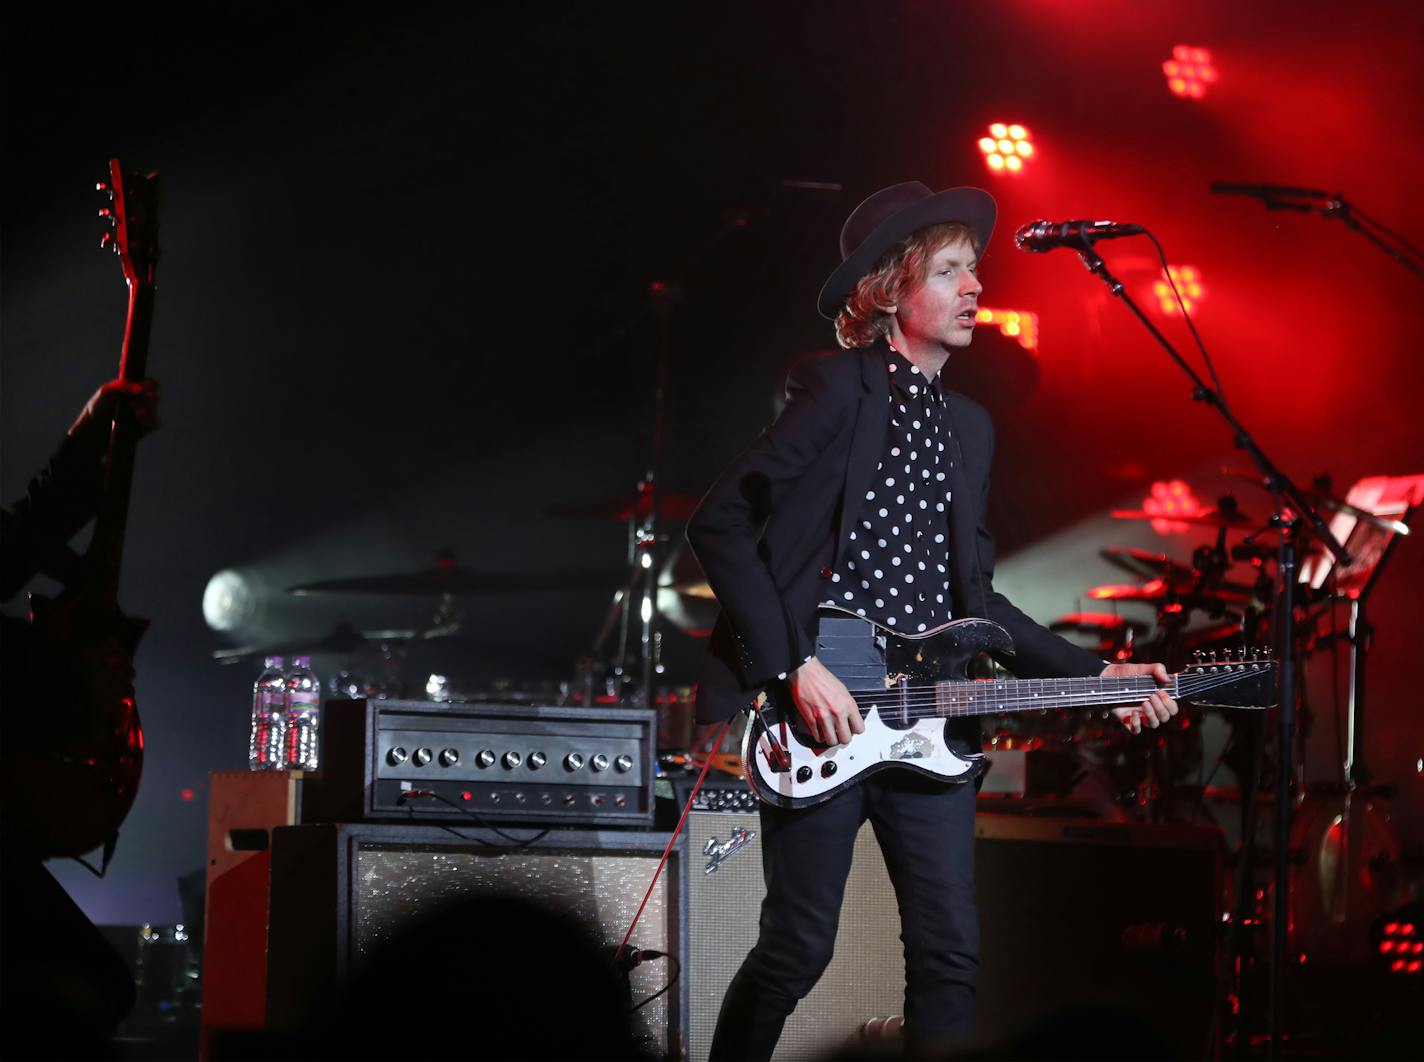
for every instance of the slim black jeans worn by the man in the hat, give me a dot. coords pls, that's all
(926, 832)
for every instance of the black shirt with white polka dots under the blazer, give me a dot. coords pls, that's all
(896, 563)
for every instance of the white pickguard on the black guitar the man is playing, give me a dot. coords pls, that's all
(921, 747)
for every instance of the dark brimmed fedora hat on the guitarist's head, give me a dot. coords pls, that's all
(891, 216)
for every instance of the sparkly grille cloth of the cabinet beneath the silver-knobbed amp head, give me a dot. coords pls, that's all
(395, 883)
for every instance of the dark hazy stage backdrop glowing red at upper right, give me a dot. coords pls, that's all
(404, 301)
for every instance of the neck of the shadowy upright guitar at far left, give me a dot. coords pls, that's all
(106, 553)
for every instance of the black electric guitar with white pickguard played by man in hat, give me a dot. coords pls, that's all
(911, 687)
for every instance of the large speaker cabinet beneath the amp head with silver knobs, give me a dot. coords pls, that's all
(340, 890)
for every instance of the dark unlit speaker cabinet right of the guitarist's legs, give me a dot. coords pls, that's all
(1099, 918)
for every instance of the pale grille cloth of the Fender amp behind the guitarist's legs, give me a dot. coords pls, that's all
(865, 980)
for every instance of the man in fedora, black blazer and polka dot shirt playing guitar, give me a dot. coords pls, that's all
(869, 493)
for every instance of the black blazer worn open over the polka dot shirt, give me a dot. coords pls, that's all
(775, 525)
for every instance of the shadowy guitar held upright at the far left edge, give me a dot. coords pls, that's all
(78, 789)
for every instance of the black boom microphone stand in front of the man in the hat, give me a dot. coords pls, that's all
(1302, 519)
